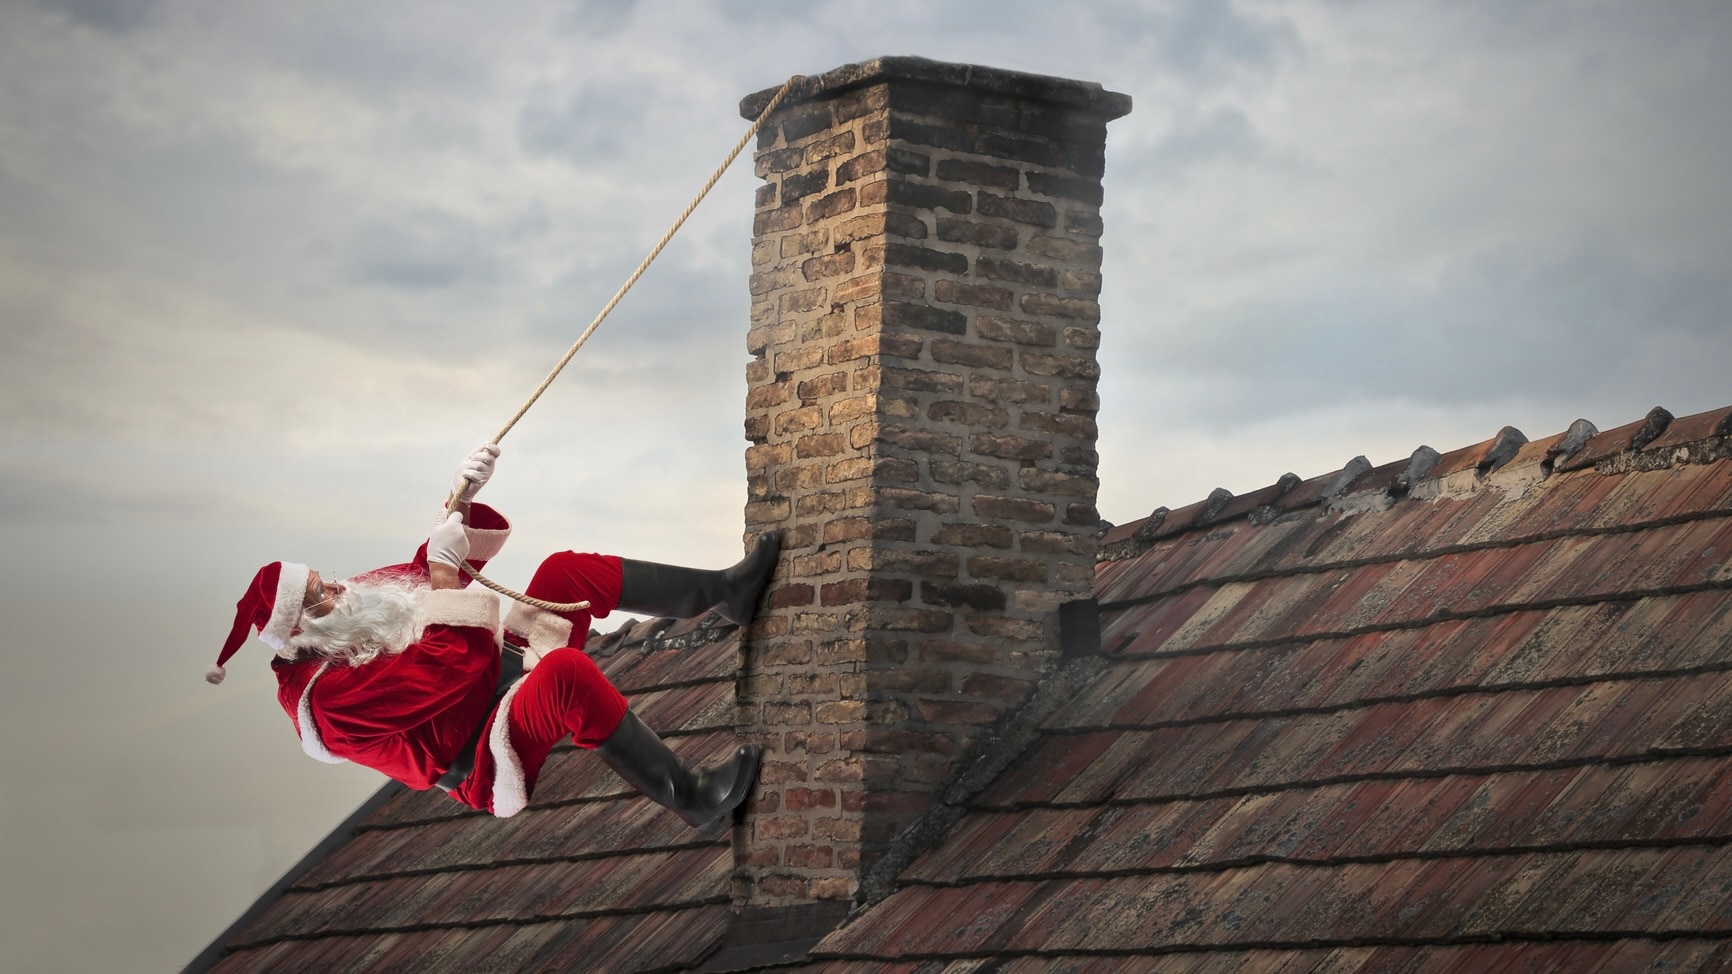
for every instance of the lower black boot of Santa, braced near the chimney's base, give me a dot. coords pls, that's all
(701, 798)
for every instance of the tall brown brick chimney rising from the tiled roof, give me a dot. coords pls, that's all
(926, 278)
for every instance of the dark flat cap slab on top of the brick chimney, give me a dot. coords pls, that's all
(1068, 93)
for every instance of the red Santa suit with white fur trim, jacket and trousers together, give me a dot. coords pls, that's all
(410, 715)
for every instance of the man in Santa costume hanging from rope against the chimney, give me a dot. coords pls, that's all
(401, 670)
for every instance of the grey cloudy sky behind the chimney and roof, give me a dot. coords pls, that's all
(268, 271)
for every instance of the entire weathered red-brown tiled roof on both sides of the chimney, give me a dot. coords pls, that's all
(1466, 711)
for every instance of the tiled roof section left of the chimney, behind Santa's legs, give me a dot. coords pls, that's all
(588, 878)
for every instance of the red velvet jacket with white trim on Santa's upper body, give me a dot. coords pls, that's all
(408, 715)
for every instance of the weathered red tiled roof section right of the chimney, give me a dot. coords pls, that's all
(1471, 720)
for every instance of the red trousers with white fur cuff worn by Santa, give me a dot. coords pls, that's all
(565, 694)
